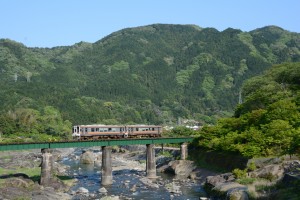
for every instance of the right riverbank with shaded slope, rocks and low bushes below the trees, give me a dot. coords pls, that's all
(256, 178)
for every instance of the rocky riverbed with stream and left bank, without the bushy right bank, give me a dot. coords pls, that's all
(79, 176)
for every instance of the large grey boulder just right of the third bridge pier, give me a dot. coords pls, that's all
(180, 167)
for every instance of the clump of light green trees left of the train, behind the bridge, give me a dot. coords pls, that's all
(29, 125)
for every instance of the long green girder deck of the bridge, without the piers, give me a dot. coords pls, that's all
(71, 144)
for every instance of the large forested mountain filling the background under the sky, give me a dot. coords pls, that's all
(151, 74)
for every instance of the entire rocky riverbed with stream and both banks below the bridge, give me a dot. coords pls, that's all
(78, 173)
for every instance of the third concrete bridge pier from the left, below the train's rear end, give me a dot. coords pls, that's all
(150, 161)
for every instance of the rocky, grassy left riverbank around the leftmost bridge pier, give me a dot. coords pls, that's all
(20, 174)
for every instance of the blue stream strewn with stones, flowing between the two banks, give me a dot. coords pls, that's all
(129, 178)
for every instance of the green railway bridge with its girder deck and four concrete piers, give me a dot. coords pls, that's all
(106, 146)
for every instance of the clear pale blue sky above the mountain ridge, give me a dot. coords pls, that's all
(49, 23)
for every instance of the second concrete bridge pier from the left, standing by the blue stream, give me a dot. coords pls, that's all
(106, 178)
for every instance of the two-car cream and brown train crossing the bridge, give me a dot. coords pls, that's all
(95, 132)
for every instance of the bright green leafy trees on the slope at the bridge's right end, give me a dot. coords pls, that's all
(267, 123)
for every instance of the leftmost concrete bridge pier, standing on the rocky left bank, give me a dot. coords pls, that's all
(46, 167)
